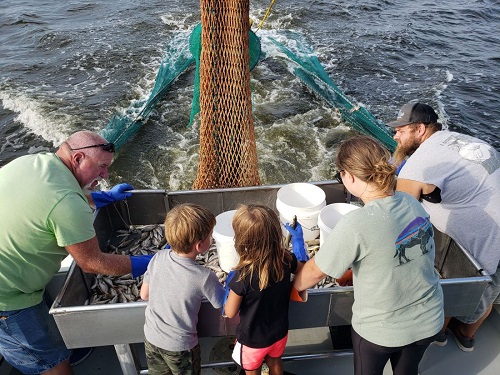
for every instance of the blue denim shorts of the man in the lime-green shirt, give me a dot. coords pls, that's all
(30, 340)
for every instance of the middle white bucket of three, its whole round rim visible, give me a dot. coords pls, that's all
(305, 201)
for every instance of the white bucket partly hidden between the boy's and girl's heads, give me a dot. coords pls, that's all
(224, 240)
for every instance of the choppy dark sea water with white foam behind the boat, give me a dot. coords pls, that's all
(66, 66)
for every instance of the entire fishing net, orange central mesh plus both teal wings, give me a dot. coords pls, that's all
(228, 156)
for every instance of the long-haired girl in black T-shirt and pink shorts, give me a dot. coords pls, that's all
(260, 289)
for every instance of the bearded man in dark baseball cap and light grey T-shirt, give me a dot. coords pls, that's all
(457, 179)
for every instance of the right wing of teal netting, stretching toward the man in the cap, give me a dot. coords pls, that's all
(310, 71)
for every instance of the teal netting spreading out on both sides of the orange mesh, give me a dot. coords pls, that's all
(179, 54)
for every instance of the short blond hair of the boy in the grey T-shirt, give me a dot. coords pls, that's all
(187, 224)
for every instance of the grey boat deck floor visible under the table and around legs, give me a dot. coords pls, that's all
(484, 360)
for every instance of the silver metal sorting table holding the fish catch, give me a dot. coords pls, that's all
(122, 324)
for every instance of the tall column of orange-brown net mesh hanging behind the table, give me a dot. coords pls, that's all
(228, 153)
